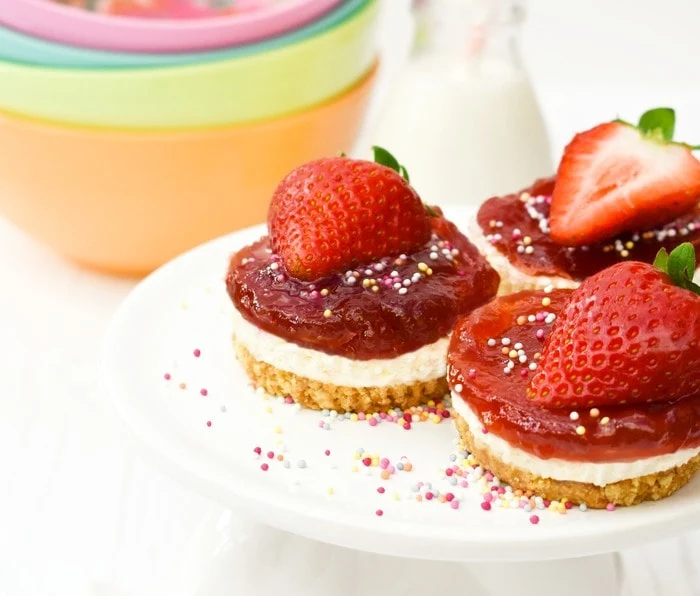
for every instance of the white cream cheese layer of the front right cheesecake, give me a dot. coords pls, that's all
(599, 474)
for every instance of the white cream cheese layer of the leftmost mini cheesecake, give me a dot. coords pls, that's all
(425, 364)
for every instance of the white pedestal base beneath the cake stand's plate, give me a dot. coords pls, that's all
(223, 543)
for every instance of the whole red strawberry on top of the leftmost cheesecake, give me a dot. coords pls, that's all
(331, 214)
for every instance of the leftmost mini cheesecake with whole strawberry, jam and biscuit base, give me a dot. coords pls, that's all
(349, 302)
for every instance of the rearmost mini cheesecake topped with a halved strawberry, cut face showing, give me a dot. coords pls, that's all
(621, 193)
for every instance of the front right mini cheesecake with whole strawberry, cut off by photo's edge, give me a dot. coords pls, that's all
(592, 394)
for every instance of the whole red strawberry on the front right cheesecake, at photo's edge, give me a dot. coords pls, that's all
(629, 334)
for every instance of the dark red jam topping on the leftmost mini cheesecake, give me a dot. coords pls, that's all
(383, 309)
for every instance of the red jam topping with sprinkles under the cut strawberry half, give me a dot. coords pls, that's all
(518, 226)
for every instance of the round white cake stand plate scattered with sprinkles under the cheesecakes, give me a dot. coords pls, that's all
(183, 307)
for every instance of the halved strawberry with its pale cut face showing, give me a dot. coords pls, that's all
(617, 177)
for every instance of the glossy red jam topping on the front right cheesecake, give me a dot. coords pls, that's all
(493, 354)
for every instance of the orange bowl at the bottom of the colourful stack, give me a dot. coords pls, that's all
(127, 201)
